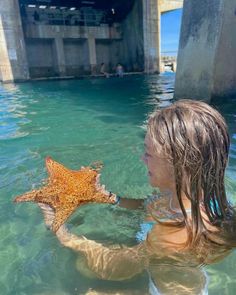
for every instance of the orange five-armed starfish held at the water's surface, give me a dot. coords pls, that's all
(68, 189)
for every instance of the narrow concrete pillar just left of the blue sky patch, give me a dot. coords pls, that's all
(151, 36)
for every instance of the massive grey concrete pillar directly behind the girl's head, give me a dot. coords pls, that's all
(206, 61)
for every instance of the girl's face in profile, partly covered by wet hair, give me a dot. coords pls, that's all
(160, 170)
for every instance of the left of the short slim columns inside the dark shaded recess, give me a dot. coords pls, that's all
(60, 56)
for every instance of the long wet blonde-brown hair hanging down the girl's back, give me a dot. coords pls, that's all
(194, 137)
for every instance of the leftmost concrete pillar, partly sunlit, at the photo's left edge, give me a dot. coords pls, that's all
(13, 61)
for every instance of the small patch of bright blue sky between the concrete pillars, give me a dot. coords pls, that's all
(170, 31)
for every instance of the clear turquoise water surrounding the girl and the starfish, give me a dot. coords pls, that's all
(77, 122)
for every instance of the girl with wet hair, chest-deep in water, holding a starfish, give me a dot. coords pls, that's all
(190, 223)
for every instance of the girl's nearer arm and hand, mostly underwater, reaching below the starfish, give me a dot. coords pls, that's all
(114, 263)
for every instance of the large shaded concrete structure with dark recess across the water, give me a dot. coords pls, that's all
(59, 38)
